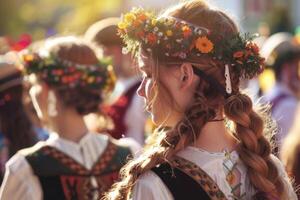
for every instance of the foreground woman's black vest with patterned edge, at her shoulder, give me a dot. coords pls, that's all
(186, 180)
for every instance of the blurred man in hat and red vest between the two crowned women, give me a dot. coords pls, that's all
(127, 108)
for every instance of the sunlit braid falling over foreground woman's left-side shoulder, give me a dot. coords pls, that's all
(168, 144)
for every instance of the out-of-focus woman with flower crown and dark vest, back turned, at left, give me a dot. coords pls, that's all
(68, 80)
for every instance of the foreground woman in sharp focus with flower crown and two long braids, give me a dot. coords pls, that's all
(192, 58)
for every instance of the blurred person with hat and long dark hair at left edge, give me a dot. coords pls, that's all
(16, 129)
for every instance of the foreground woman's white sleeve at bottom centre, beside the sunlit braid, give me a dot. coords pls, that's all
(150, 187)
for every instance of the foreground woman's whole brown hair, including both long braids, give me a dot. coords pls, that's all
(253, 148)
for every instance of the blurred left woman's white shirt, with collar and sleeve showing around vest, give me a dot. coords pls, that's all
(20, 183)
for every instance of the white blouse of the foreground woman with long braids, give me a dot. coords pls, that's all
(150, 187)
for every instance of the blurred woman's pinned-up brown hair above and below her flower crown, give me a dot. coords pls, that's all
(82, 98)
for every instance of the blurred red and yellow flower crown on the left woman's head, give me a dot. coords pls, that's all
(63, 73)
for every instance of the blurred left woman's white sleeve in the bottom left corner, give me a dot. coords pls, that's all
(19, 181)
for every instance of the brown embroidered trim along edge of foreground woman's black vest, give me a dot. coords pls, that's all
(200, 177)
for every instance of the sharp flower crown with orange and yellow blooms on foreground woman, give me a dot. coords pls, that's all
(180, 39)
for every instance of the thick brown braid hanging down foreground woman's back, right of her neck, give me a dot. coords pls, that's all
(254, 149)
